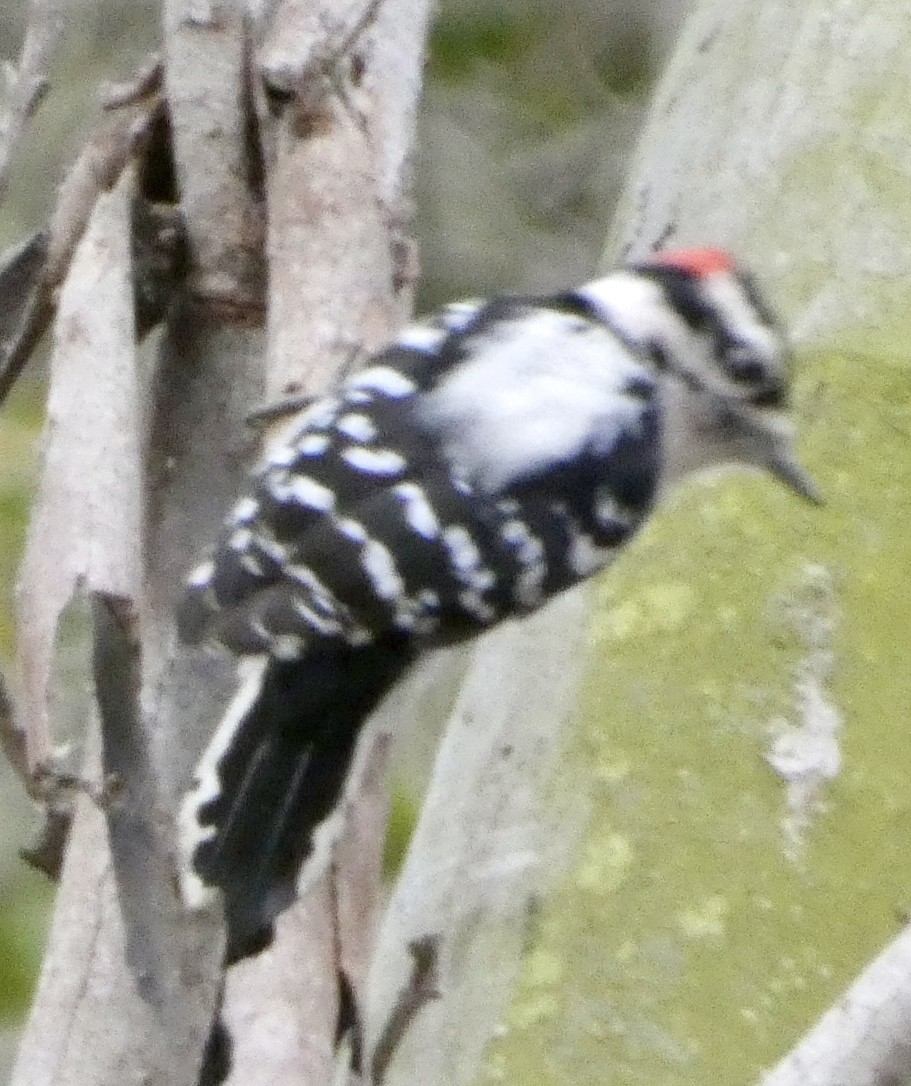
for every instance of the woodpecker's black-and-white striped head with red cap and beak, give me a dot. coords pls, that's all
(723, 359)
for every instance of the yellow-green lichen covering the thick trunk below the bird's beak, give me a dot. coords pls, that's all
(705, 925)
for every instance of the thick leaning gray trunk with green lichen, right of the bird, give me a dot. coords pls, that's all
(693, 868)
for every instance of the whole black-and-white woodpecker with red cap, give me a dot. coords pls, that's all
(496, 454)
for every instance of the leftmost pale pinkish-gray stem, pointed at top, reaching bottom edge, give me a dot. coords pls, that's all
(117, 937)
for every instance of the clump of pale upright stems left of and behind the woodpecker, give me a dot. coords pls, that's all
(290, 142)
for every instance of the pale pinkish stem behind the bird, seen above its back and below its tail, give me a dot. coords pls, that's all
(334, 295)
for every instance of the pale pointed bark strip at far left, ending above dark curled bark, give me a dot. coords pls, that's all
(93, 459)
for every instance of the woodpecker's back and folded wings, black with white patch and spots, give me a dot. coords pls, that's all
(464, 478)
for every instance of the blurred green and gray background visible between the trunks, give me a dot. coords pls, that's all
(530, 113)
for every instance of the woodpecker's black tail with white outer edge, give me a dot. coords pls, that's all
(273, 773)
